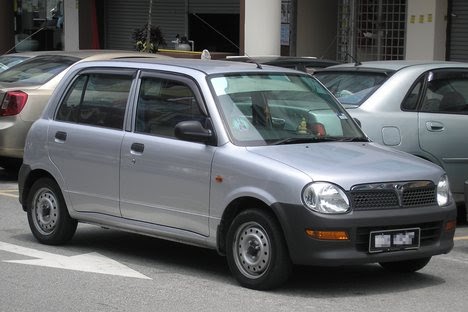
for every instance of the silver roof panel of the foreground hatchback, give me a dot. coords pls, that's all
(205, 66)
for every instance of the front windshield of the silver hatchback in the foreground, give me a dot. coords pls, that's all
(281, 108)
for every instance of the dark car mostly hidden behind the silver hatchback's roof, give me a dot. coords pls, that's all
(305, 64)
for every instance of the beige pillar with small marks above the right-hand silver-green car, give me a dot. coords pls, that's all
(426, 29)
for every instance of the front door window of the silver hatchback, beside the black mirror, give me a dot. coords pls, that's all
(162, 103)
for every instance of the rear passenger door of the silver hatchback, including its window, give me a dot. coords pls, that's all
(86, 137)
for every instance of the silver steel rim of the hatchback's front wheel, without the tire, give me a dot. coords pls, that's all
(252, 250)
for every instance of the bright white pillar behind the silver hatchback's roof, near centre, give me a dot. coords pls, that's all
(261, 27)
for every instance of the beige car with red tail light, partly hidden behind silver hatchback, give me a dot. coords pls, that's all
(25, 90)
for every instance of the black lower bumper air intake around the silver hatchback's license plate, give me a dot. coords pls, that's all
(430, 233)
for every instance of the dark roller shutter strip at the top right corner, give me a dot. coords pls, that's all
(458, 31)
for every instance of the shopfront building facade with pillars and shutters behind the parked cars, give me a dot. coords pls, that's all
(333, 29)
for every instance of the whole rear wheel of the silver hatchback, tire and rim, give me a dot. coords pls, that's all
(47, 212)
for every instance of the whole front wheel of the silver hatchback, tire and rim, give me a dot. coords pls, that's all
(257, 254)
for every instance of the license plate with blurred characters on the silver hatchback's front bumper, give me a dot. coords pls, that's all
(393, 240)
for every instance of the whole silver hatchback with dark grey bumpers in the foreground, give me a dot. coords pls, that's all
(261, 164)
